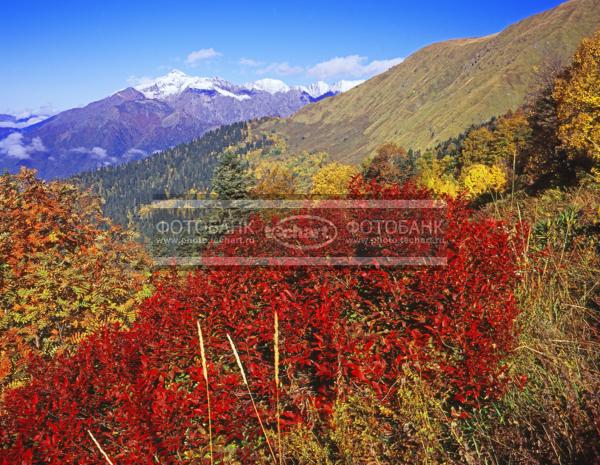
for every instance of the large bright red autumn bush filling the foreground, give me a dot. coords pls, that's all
(141, 391)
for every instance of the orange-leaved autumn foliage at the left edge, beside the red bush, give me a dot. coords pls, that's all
(64, 270)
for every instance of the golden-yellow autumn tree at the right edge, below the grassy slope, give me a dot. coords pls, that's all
(577, 95)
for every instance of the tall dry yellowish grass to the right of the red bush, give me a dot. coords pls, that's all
(554, 419)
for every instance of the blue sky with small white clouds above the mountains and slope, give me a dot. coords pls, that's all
(68, 53)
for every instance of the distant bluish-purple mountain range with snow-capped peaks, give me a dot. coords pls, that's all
(136, 122)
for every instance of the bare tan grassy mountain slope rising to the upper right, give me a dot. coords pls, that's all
(443, 88)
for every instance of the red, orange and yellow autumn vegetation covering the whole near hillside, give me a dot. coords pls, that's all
(490, 359)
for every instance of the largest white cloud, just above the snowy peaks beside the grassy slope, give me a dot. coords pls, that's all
(355, 66)
